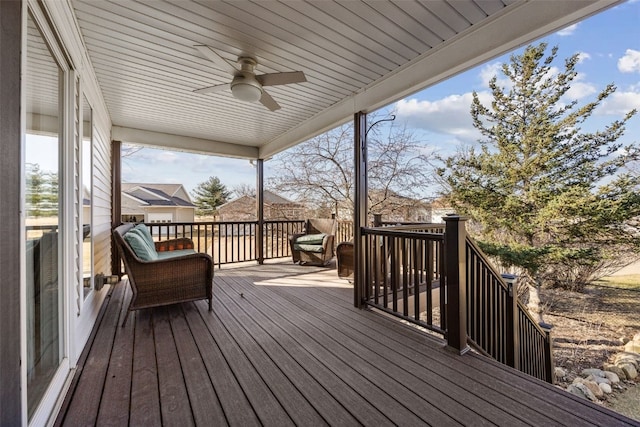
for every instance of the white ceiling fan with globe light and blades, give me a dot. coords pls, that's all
(246, 85)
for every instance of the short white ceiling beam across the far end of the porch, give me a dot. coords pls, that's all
(183, 143)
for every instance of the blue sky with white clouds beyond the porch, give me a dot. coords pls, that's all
(609, 48)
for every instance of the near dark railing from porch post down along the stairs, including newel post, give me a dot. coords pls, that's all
(435, 276)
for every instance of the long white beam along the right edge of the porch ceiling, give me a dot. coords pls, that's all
(517, 24)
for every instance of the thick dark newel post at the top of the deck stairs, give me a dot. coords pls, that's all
(455, 239)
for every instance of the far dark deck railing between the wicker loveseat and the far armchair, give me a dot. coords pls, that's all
(232, 241)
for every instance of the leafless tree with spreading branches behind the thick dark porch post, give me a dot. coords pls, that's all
(320, 172)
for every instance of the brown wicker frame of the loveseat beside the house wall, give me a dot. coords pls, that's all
(179, 274)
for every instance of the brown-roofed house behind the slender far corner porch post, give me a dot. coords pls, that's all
(275, 207)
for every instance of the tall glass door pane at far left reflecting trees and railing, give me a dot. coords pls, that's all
(43, 249)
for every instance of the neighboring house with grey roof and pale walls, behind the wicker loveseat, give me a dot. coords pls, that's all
(156, 203)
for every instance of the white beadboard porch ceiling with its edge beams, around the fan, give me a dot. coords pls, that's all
(356, 55)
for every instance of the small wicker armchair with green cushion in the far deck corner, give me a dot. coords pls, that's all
(316, 245)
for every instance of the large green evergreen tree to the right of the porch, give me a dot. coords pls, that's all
(546, 196)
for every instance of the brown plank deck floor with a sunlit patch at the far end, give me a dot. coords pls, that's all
(285, 346)
